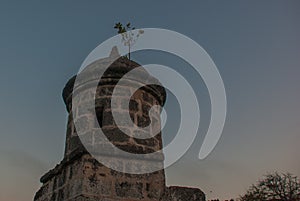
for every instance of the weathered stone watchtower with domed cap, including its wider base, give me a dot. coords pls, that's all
(79, 176)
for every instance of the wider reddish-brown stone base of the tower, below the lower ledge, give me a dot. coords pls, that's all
(84, 178)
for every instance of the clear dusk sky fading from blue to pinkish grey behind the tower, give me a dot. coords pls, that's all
(255, 45)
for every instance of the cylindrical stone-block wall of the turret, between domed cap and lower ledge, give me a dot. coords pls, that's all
(139, 107)
